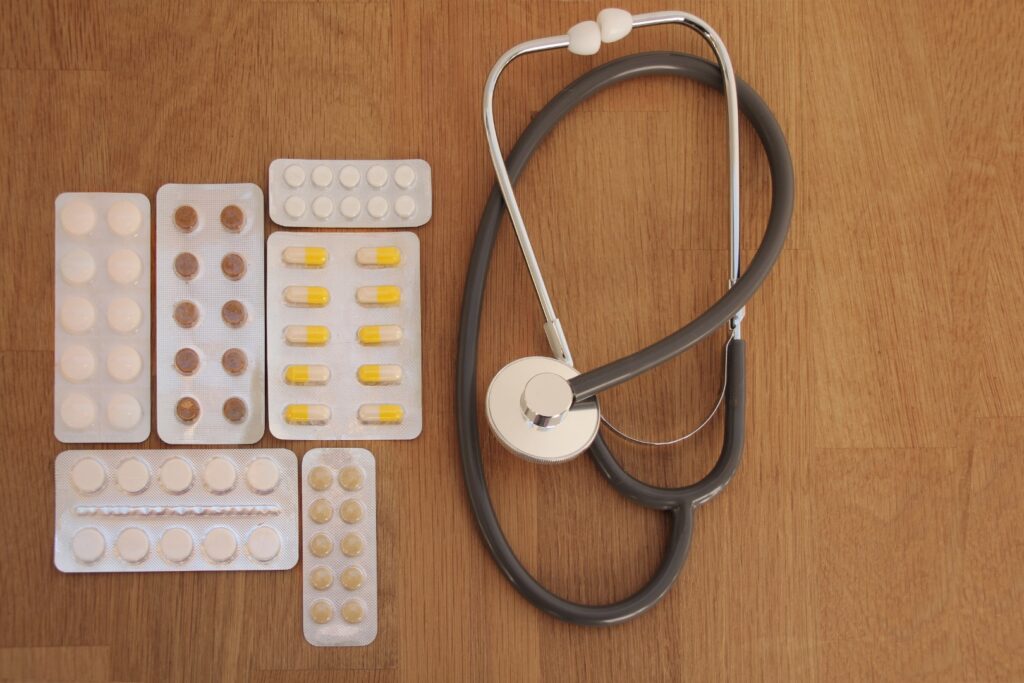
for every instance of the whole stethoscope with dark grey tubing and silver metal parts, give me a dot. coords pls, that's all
(542, 408)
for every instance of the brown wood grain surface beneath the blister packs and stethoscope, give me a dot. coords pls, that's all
(875, 529)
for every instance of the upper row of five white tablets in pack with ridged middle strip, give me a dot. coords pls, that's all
(176, 476)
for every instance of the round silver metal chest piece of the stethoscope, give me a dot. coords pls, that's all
(531, 411)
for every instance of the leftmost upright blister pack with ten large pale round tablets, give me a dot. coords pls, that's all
(102, 319)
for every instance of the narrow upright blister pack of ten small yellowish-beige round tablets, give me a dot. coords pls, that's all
(339, 554)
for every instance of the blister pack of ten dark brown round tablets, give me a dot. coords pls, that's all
(210, 308)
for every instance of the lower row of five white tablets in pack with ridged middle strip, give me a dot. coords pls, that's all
(177, 545)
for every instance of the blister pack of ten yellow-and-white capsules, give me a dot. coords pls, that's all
(344, 336)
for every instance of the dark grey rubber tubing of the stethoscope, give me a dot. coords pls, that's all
(681, 502)
